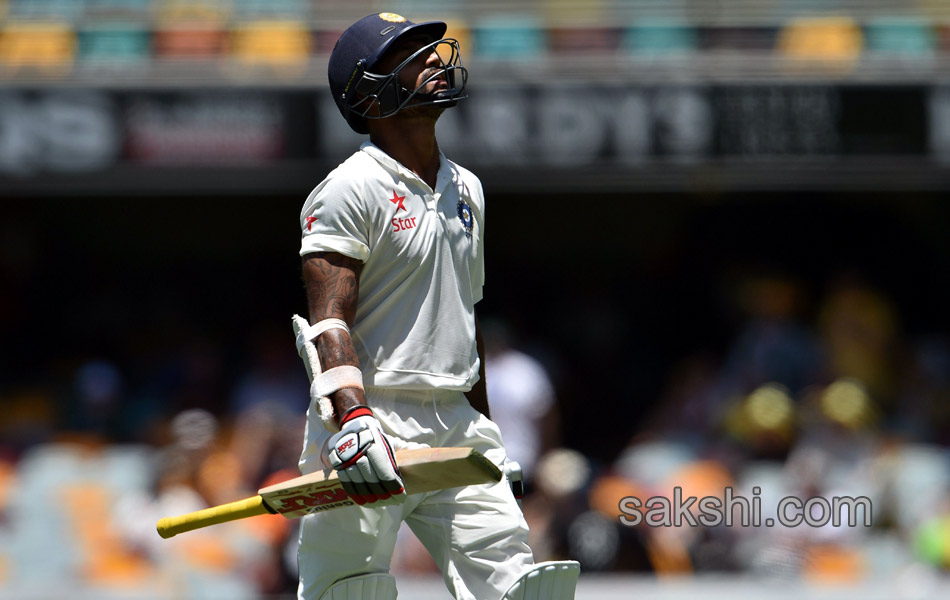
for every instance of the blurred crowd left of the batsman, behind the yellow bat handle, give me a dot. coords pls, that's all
(95, 460)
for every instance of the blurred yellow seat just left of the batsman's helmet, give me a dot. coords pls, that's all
(277, 43)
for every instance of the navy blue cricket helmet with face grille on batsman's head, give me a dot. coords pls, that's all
(360, 93)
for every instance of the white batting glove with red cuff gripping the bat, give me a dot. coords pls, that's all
(364, 460)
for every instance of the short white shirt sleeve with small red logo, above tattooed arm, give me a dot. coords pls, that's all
(333, 219)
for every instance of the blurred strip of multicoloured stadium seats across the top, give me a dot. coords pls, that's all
(285, 31)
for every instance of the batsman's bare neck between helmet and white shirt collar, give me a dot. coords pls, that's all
(413, 144)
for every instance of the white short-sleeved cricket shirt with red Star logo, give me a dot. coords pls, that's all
(423, 265)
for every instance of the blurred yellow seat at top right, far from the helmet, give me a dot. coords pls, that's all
(836, 40)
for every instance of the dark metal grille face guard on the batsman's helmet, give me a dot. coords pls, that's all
(378, 96)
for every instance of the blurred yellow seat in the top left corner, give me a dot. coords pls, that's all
(47, 47)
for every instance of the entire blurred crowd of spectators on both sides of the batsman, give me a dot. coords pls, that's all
(812, 397)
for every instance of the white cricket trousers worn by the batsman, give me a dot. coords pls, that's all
(477, 535)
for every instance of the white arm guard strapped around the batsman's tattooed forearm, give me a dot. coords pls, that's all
(322, 384)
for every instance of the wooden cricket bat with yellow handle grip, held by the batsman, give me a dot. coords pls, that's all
(422, 469)
